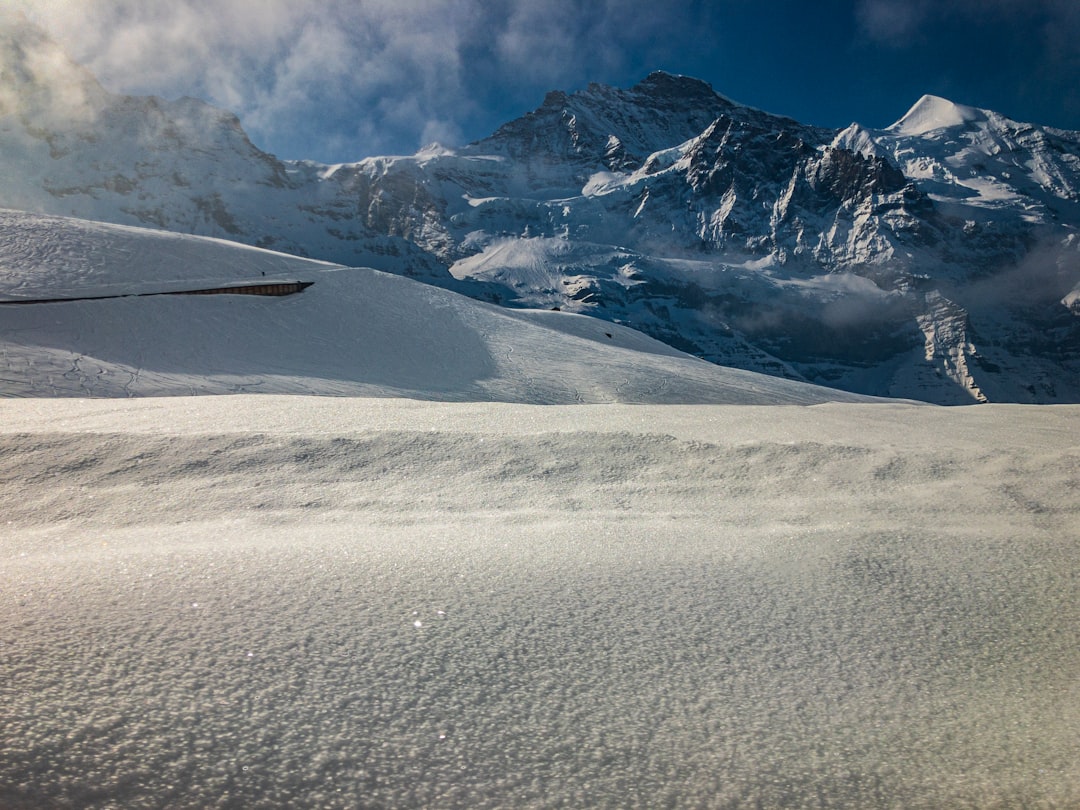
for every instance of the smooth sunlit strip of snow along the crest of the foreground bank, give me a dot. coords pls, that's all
(899, 425)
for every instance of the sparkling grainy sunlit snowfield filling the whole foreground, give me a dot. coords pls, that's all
(266, 602)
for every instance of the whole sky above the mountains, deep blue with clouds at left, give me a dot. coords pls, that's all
(339, 80)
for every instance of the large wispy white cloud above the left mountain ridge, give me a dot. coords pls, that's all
(346, 77)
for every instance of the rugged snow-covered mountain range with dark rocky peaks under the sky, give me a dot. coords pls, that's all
(938, 259)
